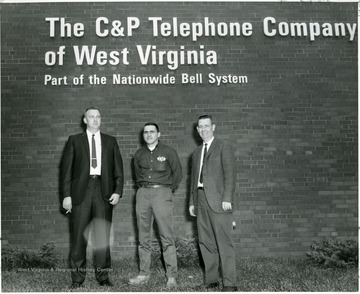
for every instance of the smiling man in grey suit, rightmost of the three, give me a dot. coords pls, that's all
(211, 200)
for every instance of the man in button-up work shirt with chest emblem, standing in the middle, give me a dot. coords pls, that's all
(158, 173)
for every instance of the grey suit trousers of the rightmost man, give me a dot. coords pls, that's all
(215, 243)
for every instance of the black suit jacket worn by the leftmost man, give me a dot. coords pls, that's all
(76, 167)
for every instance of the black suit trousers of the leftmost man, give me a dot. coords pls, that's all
(95, 212)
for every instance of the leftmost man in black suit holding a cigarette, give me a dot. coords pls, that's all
(92, 183)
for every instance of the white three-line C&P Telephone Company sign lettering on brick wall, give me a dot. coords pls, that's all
(174, 58)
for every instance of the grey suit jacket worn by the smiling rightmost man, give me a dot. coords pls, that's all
(218, 175)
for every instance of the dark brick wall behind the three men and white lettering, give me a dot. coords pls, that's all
(293, 125)
